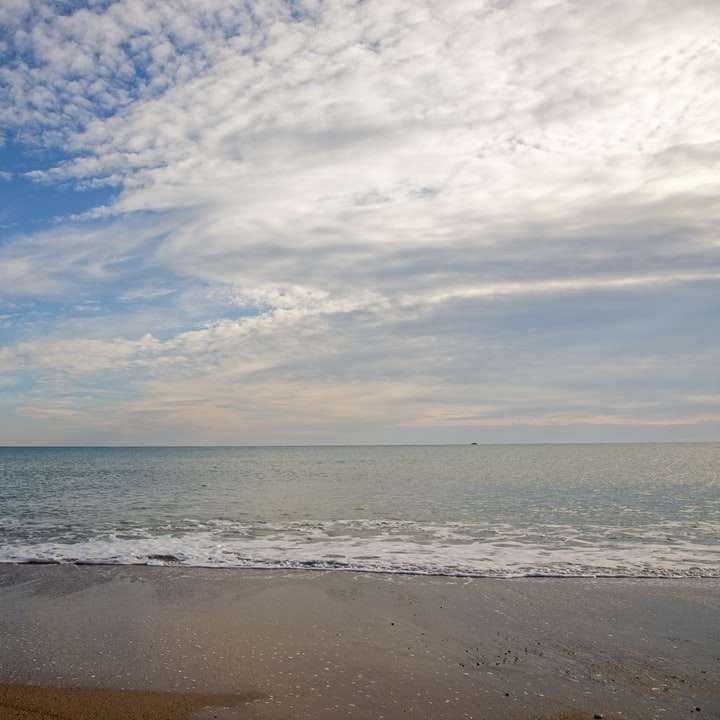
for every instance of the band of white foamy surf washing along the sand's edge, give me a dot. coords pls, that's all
(498, 550)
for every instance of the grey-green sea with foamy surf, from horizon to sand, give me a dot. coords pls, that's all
(498, 511)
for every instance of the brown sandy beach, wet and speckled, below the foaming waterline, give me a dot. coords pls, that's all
(172, 643)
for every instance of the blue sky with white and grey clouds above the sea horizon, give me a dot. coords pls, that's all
(359, 221)
